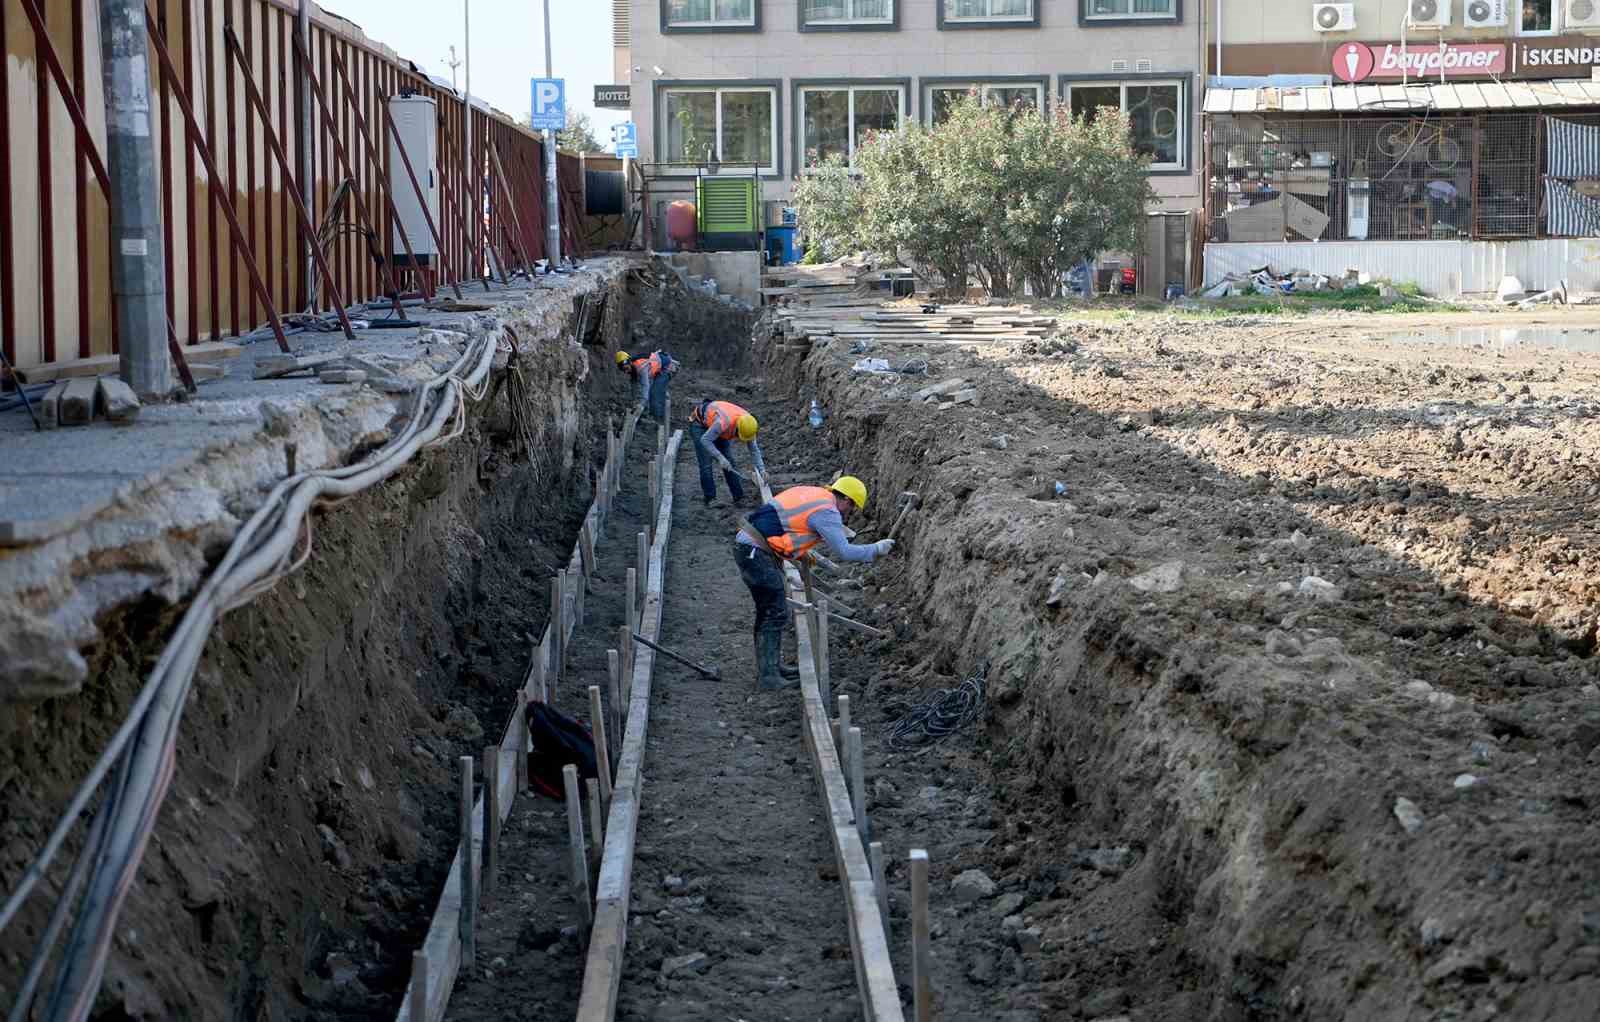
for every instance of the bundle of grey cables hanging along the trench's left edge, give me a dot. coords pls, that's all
(143, 748)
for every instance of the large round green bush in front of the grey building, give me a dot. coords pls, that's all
(1012, 196)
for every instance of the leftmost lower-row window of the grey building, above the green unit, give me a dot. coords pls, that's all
(734, 127)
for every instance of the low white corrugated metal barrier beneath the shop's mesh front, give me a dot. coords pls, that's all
(1439, 268)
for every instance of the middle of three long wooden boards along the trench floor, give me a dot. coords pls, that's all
(609, 938)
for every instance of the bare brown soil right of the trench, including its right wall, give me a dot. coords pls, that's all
(1292, 706)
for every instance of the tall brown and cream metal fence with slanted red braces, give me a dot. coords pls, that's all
(228, 86)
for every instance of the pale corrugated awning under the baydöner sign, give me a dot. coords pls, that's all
(1380, 98)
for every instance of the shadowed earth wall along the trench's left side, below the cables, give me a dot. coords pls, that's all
(313, 818)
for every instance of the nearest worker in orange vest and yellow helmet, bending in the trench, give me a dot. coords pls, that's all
(785, 530)
